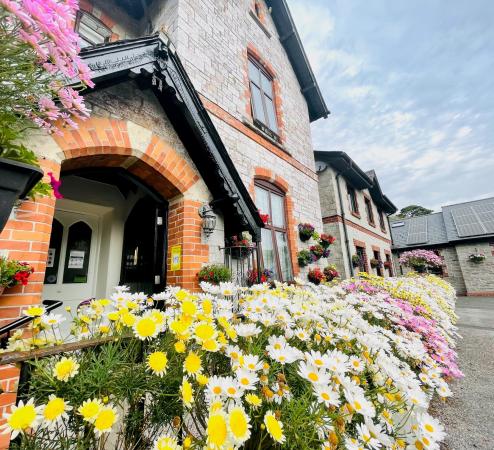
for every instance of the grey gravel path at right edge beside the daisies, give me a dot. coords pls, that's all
(469, 415)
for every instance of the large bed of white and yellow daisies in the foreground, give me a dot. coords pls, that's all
(348, 366)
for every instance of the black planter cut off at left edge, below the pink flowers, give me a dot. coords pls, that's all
(16, 180)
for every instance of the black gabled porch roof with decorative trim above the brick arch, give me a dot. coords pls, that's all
(153, 62)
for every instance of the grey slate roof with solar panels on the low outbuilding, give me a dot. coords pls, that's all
(458, 222)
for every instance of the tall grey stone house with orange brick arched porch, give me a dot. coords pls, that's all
(200, 108)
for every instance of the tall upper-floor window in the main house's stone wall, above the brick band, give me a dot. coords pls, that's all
(262, 97)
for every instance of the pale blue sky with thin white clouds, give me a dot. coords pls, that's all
(410, 87)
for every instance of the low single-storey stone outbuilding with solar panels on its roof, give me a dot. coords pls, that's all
(455, 233)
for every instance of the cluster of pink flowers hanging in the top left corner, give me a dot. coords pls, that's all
(47, 26)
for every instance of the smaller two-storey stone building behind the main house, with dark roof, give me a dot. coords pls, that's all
(355, 211)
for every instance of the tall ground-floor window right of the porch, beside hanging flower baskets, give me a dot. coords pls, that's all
(275, 251)
